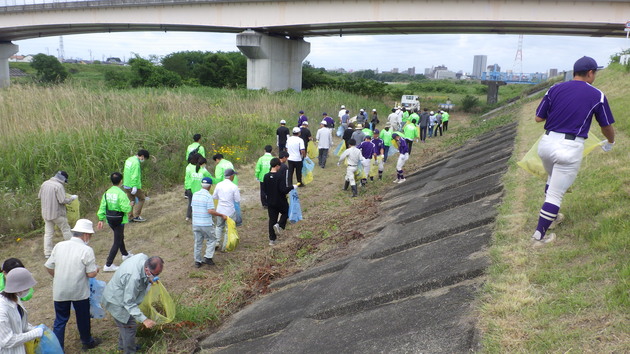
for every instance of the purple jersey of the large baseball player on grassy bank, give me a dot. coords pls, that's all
(568, 107)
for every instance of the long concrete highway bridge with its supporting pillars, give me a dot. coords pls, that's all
(271, 33)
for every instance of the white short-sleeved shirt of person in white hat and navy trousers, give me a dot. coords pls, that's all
(71, 260)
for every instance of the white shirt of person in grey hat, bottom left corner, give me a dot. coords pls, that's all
(14, 330)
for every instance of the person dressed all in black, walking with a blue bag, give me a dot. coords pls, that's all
(276, 191)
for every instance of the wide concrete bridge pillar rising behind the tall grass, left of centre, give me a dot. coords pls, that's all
(273, 63)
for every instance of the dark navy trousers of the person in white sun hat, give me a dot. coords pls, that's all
(62, 315)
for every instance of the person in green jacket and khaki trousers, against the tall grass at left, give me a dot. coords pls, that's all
(132, 183)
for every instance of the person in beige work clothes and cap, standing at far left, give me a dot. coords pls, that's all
(53, 199)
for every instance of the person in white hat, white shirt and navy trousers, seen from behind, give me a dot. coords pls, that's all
(71, 264)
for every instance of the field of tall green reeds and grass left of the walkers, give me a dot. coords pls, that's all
(89, 132)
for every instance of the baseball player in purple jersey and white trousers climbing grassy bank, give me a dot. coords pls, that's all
(567, 110)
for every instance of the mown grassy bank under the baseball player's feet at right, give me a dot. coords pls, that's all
(572, 295)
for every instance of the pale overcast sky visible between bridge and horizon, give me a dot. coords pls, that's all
(540, 53)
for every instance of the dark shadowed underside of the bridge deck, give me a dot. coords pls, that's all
(316, 30)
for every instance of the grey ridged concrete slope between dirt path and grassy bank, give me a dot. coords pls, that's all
(410, 288)
